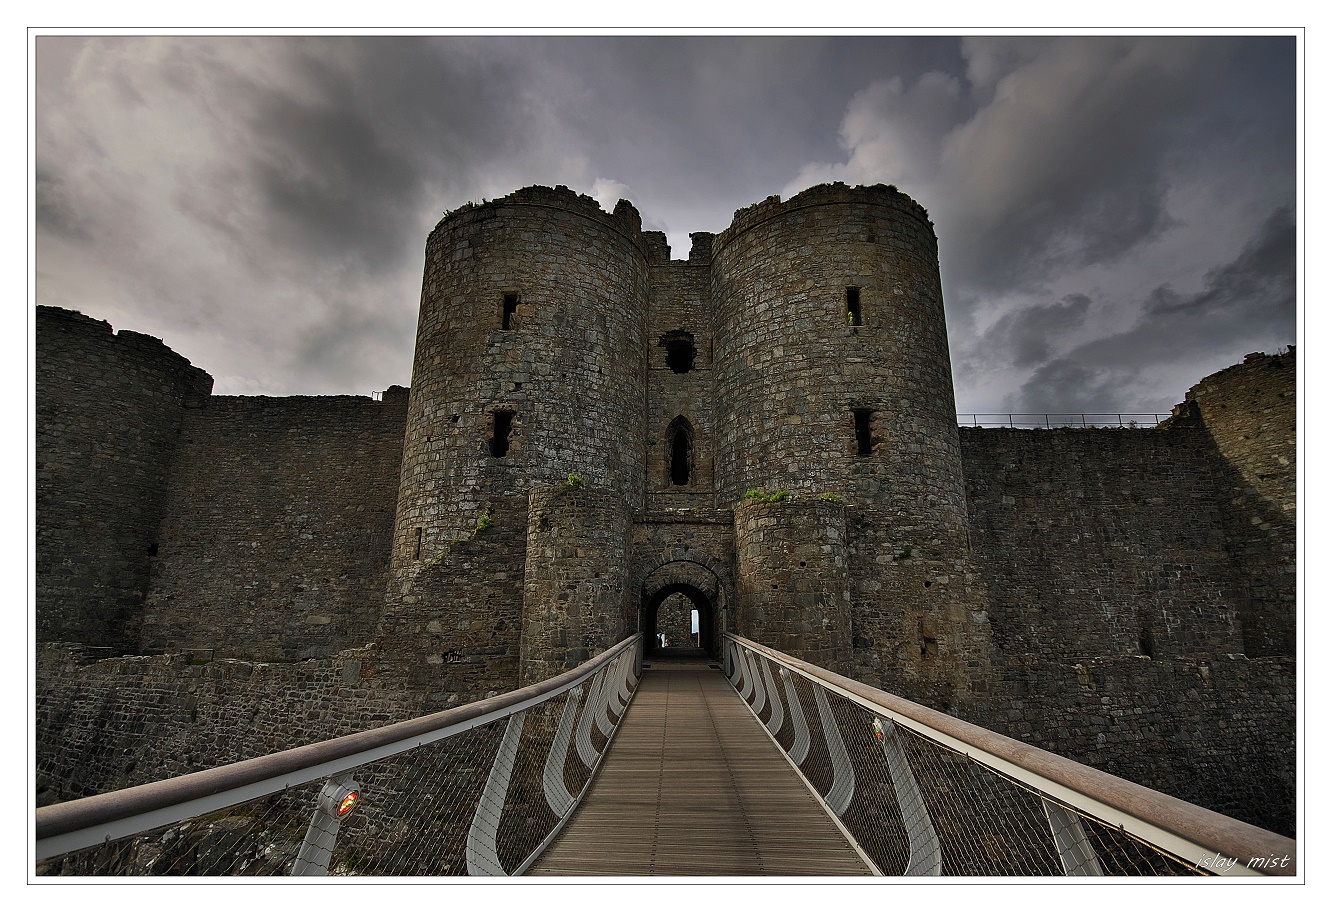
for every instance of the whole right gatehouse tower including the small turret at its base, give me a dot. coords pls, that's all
(833, 384)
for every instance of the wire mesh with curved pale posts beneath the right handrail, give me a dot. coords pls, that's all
(920, 806)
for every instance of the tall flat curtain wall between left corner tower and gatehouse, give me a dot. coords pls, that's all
(276, 528)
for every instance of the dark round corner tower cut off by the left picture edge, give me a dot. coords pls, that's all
(110, 412)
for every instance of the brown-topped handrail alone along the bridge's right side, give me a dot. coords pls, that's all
(1201, 838)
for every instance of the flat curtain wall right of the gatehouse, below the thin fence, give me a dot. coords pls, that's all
(1101, 543)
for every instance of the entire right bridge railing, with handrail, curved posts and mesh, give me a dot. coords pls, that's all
(926, 794)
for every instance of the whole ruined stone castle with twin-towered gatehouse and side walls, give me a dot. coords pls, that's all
(596, 436)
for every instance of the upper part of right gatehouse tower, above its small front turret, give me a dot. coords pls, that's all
(832, 355)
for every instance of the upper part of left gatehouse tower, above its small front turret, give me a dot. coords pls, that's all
(529, 363)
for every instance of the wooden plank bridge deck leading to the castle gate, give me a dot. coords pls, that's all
(693, 786)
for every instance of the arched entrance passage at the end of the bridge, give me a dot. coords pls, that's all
(684, 601)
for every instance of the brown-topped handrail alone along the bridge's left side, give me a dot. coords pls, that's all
(87, 822)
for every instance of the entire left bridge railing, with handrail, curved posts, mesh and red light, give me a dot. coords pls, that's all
(478, 790)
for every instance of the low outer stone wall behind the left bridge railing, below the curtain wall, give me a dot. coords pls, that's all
(126, 721)
